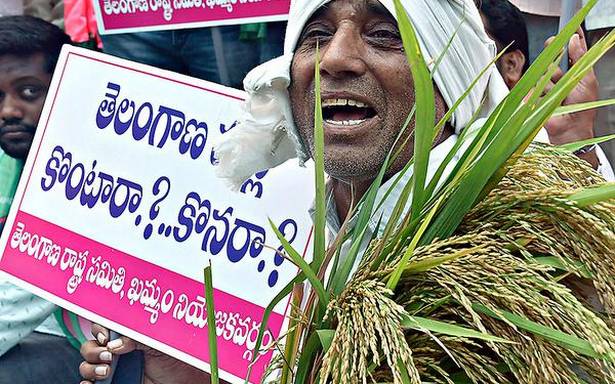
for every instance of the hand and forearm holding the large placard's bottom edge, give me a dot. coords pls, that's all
(158, 367)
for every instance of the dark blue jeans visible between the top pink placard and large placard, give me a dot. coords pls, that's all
(220, 54)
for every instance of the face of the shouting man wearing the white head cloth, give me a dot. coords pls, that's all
(366, 85)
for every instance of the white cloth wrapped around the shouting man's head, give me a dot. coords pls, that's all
(266, 135)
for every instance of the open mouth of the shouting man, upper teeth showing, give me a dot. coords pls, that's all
(346, 112)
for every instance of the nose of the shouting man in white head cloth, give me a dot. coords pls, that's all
(343, 55)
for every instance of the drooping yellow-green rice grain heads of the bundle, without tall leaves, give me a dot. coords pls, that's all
(491, 271)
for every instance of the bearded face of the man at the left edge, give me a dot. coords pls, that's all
(23, 87)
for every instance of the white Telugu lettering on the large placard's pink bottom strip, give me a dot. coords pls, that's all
(232, 327)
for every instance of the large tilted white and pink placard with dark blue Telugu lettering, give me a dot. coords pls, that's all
(118, 211)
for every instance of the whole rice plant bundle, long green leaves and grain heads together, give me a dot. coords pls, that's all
(501, 271)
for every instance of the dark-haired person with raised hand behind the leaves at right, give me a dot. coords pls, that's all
(505, 24)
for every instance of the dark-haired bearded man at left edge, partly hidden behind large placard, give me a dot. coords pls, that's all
(29, 50)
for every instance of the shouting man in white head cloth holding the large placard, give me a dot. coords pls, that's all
(367, 93)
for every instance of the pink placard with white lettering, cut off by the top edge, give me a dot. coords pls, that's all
(121, 16)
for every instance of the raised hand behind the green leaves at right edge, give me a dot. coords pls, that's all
(575, 126)
